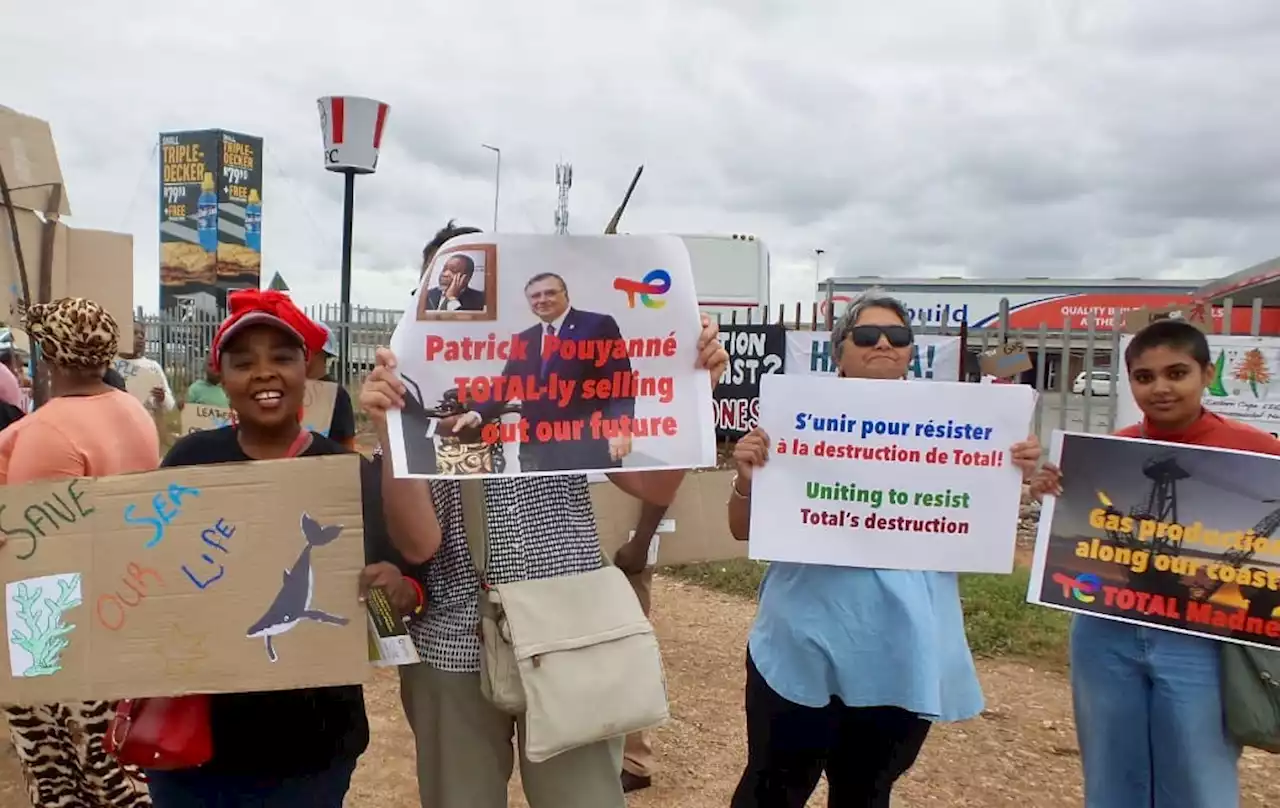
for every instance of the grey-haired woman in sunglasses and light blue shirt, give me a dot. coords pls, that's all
(848, 669)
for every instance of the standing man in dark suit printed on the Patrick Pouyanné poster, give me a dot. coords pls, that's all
(548, 300)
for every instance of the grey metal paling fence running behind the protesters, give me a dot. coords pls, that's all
(180, 341)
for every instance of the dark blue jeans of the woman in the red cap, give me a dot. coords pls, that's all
(194, 788)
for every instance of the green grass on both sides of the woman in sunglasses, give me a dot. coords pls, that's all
(998, 618)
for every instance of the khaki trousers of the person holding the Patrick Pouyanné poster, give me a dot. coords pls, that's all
(465, 754)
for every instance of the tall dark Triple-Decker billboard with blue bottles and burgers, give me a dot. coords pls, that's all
(211, 217)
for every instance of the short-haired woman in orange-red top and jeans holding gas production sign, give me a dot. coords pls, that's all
(1149, 707)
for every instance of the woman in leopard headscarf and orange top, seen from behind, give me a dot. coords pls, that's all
(86, 430)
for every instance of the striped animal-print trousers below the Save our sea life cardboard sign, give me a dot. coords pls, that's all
(63, 763)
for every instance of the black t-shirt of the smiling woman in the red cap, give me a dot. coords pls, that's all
(289, 733)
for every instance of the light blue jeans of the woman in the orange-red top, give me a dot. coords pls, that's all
(1149, 718)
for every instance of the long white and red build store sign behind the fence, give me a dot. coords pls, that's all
(1028, 311)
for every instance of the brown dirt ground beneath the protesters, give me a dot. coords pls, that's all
(1021, 754)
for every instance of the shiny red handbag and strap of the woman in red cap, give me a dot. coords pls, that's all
(168, 733)
